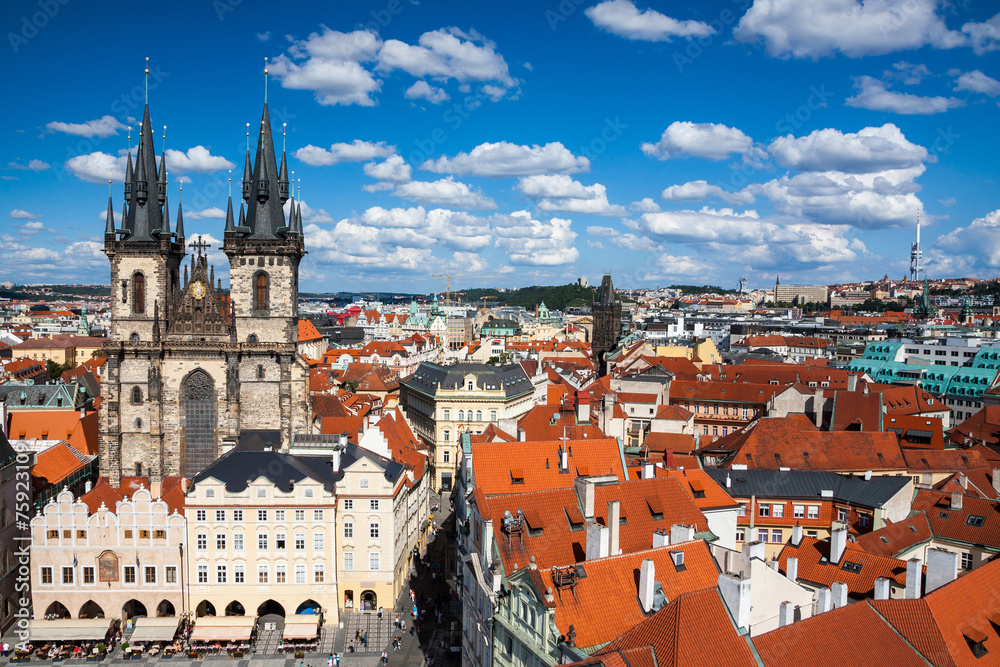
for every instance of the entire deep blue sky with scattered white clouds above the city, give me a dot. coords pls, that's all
(512, 143)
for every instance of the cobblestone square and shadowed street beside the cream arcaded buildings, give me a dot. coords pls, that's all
(432, 583)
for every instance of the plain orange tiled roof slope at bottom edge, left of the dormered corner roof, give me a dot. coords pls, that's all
(851, 635)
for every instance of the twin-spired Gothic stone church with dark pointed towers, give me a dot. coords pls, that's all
(190, 367)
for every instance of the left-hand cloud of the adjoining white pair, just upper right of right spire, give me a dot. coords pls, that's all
(329, 64)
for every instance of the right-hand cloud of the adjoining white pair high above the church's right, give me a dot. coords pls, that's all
(447, 53)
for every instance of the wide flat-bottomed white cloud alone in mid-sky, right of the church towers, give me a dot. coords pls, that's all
(503, 159)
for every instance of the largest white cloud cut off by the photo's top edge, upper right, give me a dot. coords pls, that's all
(791, 28)
